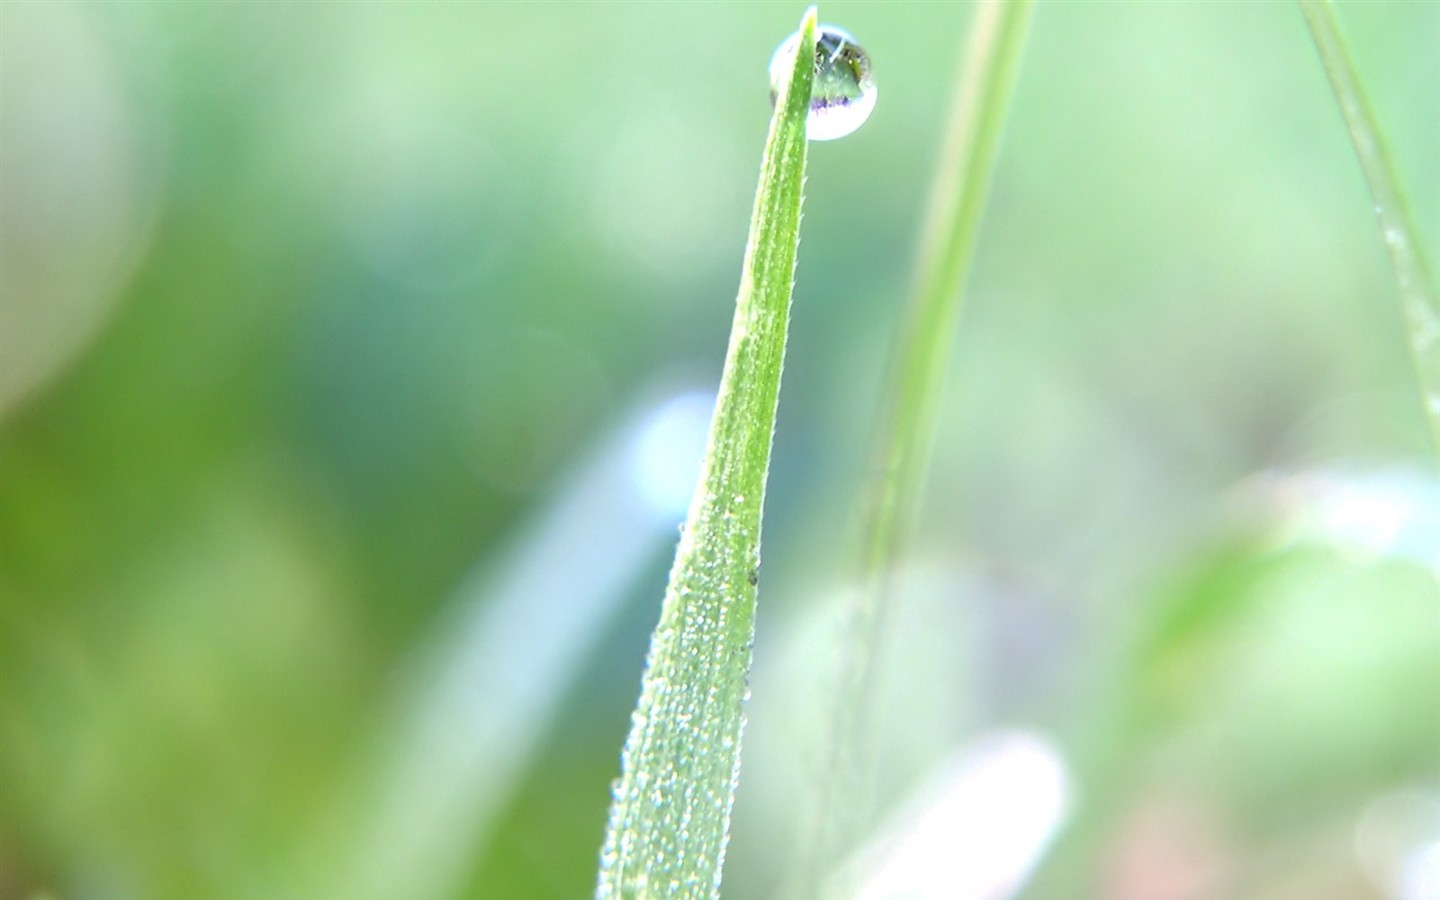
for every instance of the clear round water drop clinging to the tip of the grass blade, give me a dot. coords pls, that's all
(845, 94)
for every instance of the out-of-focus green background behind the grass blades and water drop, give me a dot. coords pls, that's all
(326, 325)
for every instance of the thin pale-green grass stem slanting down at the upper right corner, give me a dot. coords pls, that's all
(1418, 290)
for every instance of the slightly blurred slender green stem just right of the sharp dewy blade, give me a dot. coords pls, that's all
(991, 60)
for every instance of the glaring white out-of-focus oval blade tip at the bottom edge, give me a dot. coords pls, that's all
(977, 830)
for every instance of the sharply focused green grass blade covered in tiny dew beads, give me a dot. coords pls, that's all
(672, 809)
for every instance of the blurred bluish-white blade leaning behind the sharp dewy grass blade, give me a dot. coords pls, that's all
(486, 688)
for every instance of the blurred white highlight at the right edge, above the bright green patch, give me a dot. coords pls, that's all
(1385, 513)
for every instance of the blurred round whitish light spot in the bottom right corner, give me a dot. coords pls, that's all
(1398, 845)
